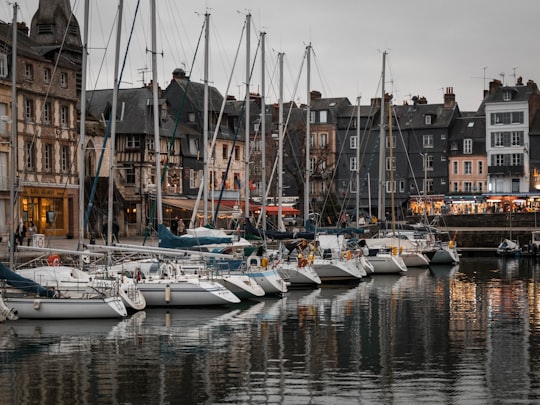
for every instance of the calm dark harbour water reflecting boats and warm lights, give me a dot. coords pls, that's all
(468, 334)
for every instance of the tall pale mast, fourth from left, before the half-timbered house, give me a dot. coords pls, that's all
(156, 115)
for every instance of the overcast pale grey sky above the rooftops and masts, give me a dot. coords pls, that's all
(431, 45)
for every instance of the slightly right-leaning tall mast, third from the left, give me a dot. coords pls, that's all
(113, 128)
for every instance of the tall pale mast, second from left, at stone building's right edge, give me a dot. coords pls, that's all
(82, 129)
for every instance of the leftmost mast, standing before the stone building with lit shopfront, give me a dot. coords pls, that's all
(13, 161)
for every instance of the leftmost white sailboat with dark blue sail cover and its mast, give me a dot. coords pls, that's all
(29, 299)
